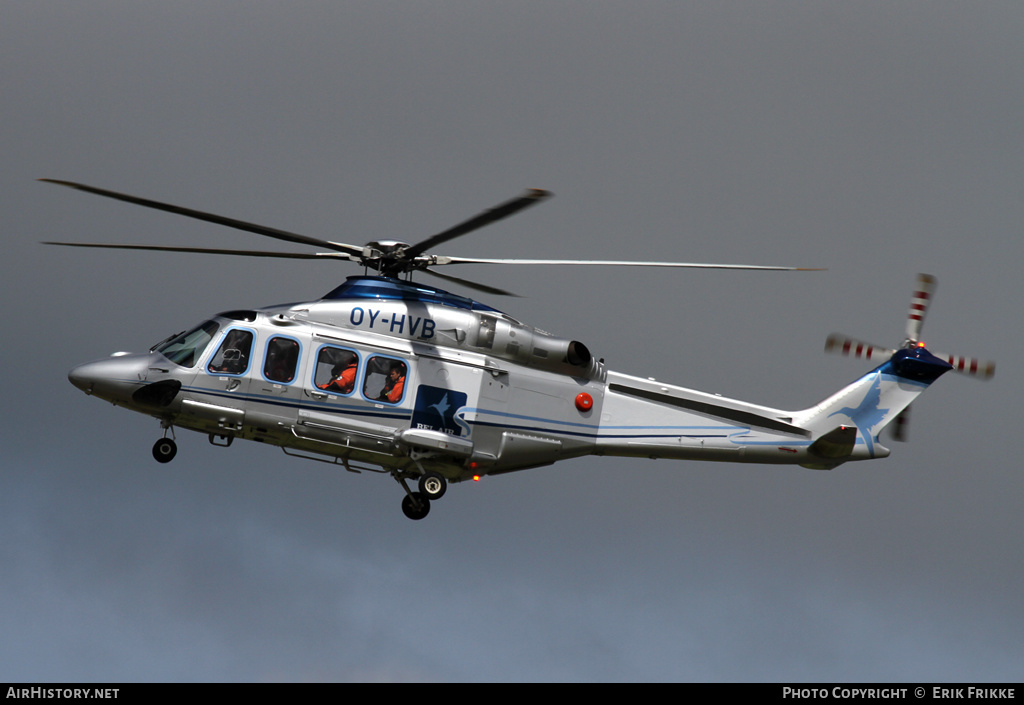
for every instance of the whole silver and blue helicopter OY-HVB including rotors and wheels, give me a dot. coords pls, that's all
(383, 375)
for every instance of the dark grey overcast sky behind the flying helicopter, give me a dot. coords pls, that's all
(875, 139)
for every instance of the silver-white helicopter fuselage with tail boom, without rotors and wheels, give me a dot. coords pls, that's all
(463, 392)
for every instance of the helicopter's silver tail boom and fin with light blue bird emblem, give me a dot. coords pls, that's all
(644, 419)
